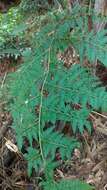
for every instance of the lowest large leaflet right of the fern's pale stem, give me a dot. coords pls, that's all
(54, 140)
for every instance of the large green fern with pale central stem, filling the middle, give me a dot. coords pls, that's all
(44, 91)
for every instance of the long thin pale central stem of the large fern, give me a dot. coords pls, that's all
(40, 110)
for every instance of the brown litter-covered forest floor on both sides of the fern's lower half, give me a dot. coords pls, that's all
(89, 163)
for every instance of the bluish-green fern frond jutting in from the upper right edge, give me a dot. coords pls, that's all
(93, 46)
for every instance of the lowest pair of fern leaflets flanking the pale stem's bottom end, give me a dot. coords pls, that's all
(51, 142)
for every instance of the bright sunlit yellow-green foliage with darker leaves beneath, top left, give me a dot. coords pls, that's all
(11, 44)
